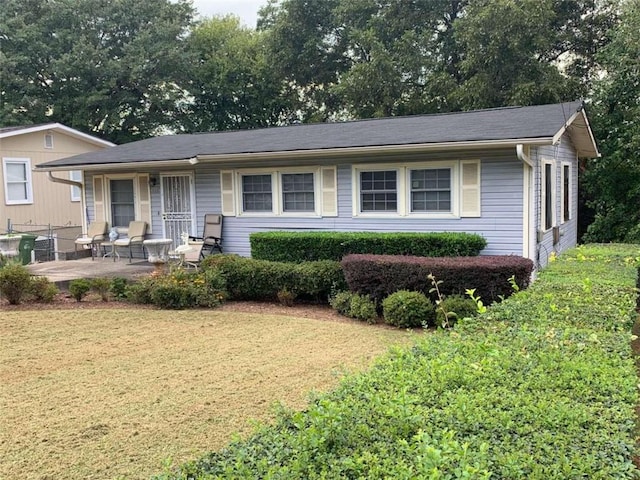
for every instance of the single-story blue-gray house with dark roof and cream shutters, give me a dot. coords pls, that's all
(508, 174)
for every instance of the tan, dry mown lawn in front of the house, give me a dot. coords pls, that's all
(119, 393)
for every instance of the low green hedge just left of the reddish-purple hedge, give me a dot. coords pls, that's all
(251, 279)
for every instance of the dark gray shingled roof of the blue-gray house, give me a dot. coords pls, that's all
(509, 123)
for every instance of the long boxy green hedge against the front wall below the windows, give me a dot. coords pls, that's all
(307, 246)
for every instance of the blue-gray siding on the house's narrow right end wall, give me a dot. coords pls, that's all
(561, 153)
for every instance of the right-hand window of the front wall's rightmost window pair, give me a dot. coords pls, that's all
(431, 190)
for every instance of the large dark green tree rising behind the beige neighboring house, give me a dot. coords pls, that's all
(109, 68)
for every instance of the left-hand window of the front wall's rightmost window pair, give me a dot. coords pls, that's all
(379, 191)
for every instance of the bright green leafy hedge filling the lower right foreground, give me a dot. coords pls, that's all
(542, 387)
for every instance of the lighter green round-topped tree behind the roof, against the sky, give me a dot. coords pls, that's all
(232, 82)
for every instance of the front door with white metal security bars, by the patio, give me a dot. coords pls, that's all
(178, 205)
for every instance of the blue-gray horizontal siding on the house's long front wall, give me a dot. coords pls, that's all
(500, 222)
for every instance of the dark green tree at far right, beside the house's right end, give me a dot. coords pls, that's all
(612, 183)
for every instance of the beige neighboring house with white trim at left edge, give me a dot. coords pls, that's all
(31, 198)
